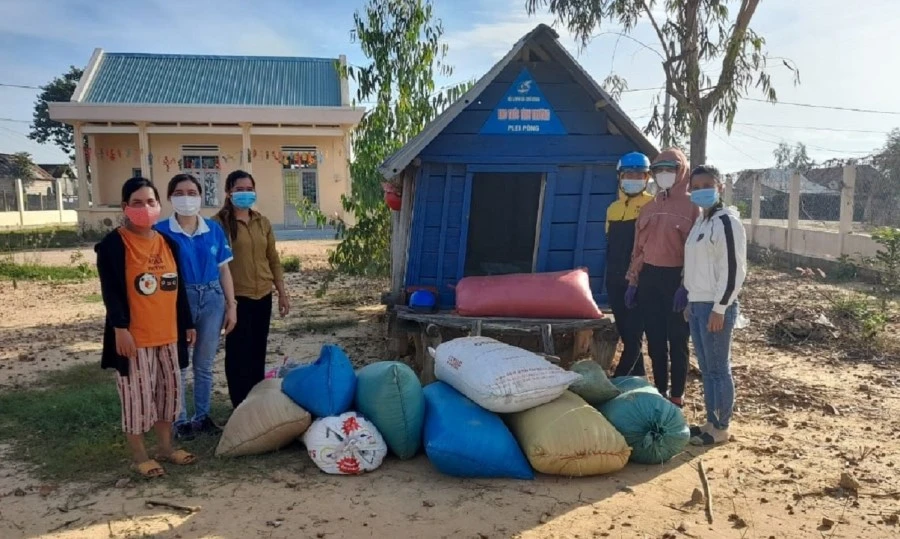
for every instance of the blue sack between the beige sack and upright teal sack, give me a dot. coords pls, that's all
(324, 388)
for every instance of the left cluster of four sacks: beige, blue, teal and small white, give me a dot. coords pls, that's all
(360, 415)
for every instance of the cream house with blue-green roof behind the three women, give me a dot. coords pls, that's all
(286, 120)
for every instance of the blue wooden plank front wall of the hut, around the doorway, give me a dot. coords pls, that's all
(580, 182)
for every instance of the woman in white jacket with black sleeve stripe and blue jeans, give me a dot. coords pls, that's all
(715, 265)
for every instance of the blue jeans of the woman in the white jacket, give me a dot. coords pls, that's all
(714, 356)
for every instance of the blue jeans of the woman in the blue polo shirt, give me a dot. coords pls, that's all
(208, 309)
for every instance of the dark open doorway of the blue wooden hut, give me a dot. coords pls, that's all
(502, 223)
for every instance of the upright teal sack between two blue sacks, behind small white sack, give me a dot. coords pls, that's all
(388, 394)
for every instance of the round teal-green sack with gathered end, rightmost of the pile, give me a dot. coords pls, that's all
(653, 427)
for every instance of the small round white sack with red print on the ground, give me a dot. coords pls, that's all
(346, 444)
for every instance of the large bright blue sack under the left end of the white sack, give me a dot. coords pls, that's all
(464, 440)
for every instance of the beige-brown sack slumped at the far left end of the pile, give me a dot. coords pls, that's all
(266, 421)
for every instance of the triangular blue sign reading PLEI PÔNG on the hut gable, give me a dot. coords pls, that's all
(523, 111)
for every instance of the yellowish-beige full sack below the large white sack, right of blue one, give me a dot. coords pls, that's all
(569, 437)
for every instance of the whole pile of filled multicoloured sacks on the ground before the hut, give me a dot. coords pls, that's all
(495, 411)
